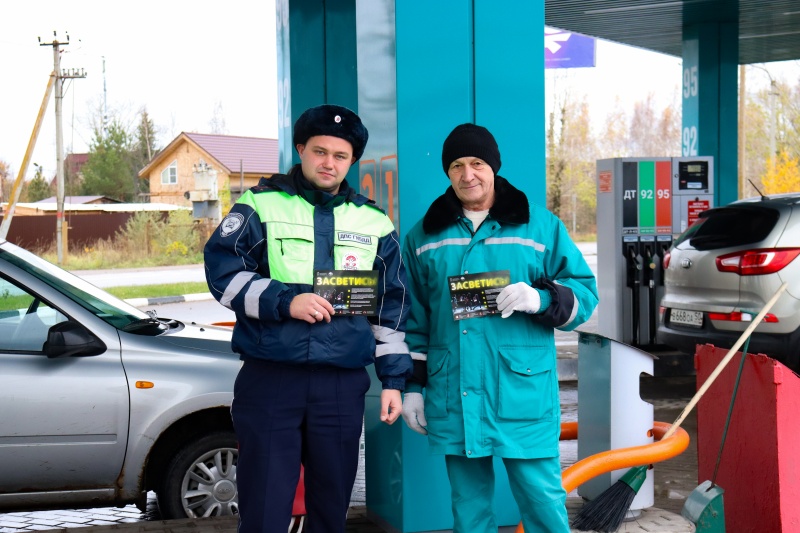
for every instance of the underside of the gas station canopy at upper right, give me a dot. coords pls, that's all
(768, 30)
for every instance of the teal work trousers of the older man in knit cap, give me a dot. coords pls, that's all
(535, 484)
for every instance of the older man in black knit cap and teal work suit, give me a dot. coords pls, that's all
(488, 364)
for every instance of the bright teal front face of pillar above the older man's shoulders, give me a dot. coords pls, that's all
(468, 61)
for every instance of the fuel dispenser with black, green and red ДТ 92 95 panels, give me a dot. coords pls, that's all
(642, 204)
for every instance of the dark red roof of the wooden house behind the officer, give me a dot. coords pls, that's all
(255, 155)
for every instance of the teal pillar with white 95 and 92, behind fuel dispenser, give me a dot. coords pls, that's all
(710, 101)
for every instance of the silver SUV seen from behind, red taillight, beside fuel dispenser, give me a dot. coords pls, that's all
(729, 263)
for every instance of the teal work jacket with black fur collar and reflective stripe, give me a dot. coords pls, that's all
(491, 384)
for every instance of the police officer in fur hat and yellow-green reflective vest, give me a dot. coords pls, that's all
(299, 396)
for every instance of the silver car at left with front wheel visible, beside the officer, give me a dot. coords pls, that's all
(102, 403)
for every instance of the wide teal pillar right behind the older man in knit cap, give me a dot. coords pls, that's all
(425, 67)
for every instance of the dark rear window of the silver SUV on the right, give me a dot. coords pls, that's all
(727, 227)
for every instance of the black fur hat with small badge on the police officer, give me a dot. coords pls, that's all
(332, 120)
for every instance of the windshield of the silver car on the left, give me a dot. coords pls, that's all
(105, 306)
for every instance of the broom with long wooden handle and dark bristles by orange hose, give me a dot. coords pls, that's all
(606, 512)
